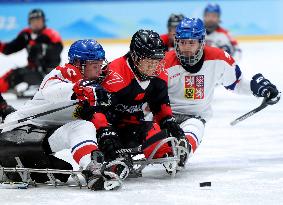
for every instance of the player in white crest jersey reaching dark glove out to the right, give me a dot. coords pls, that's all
(193, 71)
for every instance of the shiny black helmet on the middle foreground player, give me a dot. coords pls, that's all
(147, 44)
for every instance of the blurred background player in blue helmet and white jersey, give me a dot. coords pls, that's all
(217, 36)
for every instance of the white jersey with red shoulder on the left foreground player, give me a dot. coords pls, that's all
(55, 91)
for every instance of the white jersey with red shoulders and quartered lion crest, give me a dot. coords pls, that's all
(192, 93)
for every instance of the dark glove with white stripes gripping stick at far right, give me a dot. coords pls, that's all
(261, 87)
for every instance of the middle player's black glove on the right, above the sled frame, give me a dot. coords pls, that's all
(172, 127)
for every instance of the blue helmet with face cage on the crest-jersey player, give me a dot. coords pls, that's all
(193, 29)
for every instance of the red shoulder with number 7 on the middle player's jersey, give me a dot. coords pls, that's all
(119, 75)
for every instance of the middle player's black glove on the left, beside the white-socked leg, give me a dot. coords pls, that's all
(108, 143)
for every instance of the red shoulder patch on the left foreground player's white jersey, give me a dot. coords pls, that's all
(69, 72)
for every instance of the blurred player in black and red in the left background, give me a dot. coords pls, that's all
(43, 45)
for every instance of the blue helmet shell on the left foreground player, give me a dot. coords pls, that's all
(85, 50)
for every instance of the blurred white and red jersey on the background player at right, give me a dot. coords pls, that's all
(220, 38)
